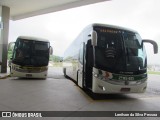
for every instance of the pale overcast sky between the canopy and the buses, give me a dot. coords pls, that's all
(62, 27)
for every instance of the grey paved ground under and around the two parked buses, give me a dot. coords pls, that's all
(57, 93)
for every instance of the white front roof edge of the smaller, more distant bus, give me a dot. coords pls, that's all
(33, 38)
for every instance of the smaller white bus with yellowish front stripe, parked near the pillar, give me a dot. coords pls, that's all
(30, 57)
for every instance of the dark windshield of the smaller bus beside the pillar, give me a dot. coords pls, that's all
(31, 53)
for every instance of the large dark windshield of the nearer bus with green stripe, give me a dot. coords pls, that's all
(119, 50)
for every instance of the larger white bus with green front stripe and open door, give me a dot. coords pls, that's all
(108, 59)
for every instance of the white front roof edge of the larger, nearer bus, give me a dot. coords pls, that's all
(111, 26)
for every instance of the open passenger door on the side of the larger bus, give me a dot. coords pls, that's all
(80, 72)
